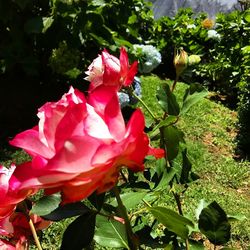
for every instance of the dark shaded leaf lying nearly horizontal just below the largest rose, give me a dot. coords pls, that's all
(67, 211)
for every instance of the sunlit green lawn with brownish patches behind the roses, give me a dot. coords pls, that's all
(209, 133)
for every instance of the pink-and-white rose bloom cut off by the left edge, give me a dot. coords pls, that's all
(10, 195)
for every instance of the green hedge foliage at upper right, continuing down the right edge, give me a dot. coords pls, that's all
(223, 48)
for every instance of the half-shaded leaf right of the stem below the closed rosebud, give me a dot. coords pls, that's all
(192, 95)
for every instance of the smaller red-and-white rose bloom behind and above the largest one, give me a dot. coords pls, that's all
(110, 71)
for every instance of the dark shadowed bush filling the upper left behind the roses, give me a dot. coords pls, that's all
(45, 45)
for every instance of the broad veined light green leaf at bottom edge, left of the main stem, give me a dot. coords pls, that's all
(110, 233)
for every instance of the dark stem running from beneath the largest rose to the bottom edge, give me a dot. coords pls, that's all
(123, 212)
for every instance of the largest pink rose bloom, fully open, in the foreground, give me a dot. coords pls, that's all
(80, 145)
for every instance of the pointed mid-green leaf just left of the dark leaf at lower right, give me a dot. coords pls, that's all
(172, 220)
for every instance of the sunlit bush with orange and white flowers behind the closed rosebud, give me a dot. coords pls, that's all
(218, 42)
